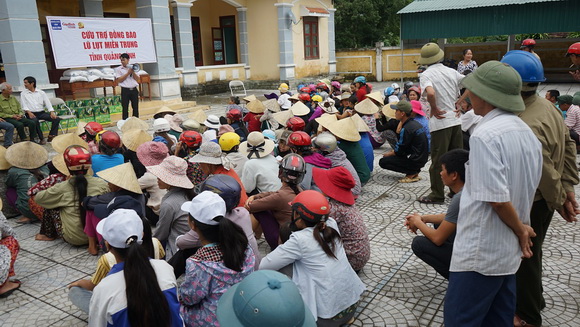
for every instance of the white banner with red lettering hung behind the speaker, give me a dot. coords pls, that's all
(92, 42)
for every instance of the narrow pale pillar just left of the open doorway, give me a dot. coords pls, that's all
(184, 39)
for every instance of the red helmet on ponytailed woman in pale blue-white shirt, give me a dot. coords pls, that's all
(311, 206)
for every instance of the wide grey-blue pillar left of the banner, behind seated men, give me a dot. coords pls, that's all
(21, 45)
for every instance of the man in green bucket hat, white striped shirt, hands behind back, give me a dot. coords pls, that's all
(493, 232)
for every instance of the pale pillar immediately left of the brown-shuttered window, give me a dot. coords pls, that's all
(285, 41)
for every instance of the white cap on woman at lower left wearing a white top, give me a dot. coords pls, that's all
(122, 228)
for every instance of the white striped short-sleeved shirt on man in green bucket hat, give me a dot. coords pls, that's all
(505, 163)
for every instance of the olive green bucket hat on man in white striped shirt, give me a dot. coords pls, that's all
(497, 84)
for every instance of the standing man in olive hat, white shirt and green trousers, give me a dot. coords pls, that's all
(441, 85)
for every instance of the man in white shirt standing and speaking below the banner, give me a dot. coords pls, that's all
(128, 80)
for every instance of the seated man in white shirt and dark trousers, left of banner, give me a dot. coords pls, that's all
(34, 101)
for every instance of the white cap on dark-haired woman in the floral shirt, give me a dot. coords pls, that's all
(205, 207)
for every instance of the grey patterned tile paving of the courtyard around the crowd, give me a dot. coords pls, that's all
(401, 289)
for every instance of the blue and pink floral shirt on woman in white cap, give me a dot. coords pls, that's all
(206, 280)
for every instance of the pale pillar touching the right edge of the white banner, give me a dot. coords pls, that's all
(164, 79)
